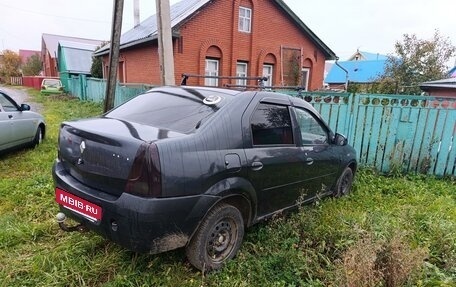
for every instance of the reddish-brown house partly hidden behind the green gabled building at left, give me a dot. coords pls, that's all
(49, 46)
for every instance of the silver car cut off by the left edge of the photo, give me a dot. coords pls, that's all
(18, 125)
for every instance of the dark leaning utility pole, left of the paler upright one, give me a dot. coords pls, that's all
(113, 55)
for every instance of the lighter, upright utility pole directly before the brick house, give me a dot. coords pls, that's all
(165, 43)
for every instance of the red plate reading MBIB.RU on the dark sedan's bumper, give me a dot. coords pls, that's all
(83, 207)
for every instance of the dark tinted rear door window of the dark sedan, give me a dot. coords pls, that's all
(271, 125)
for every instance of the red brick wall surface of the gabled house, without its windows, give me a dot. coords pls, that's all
(217, 25)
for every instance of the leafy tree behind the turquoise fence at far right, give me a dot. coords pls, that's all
(416, 61)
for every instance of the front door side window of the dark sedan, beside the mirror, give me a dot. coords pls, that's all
(312, 133)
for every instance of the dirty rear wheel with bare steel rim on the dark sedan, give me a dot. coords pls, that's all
(218, 238)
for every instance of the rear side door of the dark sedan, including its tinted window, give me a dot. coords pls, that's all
(274, 161)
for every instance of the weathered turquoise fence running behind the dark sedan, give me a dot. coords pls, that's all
(407, 133)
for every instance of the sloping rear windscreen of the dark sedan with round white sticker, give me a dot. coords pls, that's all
(175, 109)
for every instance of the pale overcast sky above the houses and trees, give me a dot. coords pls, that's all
(344, 25)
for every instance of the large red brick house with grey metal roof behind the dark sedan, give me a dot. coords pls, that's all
(227, 38)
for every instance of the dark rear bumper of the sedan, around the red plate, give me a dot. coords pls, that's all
(140, 224)
